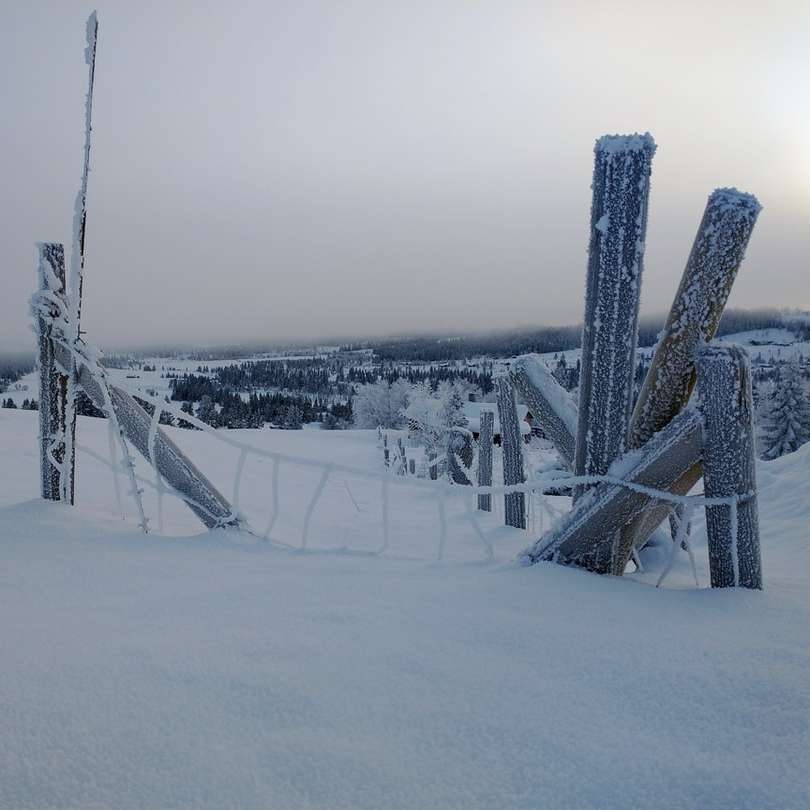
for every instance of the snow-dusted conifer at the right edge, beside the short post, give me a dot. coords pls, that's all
(786, 417)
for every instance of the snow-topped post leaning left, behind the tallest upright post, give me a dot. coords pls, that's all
(551, 405)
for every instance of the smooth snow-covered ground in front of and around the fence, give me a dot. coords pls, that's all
(214, 671)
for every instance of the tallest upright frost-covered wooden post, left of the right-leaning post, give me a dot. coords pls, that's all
(621, 185)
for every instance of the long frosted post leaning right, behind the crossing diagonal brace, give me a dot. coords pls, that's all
(715, 258)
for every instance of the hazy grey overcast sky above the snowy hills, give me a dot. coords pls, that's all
(297, 169)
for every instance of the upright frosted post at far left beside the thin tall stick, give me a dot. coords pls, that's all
(53, 382)
